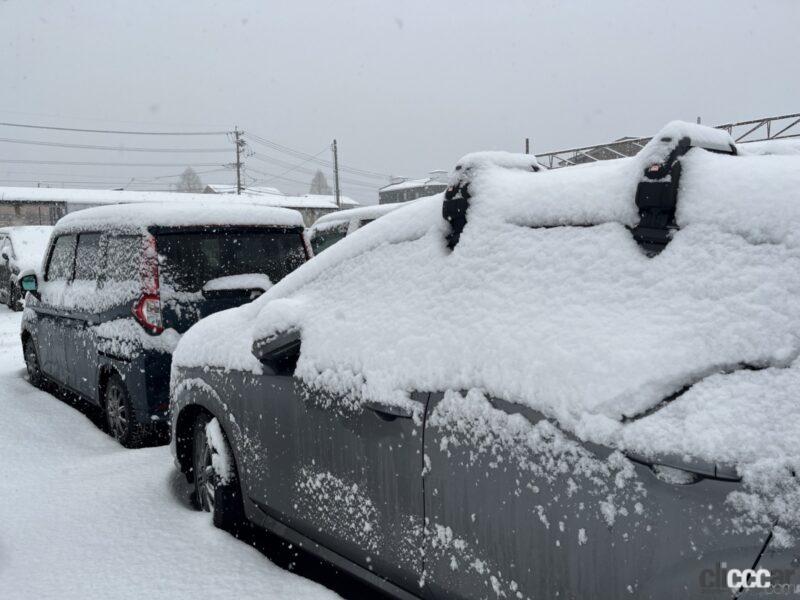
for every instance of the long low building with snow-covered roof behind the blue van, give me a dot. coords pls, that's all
(45, 206)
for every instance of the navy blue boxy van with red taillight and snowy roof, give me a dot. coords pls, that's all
(122, 283)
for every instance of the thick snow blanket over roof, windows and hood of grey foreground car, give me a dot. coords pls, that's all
(573, 321)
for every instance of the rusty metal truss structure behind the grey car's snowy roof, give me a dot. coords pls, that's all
(756, 130)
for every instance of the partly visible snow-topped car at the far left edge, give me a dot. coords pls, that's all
(21, 250)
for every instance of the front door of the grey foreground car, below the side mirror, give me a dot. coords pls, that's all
(346, 474)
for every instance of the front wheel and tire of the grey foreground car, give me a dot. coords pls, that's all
(222, 499)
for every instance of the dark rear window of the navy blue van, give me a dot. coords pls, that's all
(189, 259)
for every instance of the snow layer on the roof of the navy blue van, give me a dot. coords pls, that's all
(137, 216)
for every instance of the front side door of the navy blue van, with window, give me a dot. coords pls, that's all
(51, 310)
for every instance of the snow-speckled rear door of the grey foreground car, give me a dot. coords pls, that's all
(516, 508)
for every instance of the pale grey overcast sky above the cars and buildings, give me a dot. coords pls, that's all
(405, 86)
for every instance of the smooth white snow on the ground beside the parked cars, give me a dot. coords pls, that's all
(81, 517)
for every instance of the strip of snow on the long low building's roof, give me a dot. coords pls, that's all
(94, 197)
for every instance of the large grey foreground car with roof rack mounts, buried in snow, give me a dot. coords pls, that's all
(584, 386)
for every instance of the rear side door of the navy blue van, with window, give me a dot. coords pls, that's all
(81, 314)
